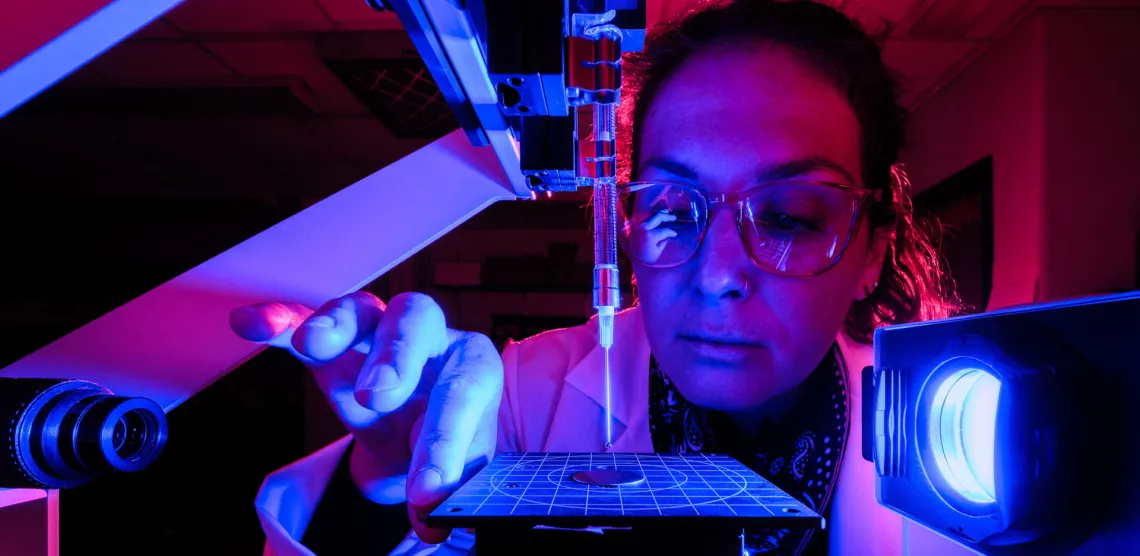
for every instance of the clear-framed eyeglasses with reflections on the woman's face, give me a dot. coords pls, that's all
(789, 228)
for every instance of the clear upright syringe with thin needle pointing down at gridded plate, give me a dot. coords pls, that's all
(607, 287)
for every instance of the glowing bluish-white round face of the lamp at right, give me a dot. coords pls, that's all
(963, 430)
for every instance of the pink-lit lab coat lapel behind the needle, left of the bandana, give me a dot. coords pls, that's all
(629, 374)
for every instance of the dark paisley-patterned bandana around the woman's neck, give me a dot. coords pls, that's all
(801, 454)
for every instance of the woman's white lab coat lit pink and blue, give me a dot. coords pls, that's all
(553, 402)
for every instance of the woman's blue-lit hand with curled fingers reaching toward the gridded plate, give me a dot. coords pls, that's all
(420, 399)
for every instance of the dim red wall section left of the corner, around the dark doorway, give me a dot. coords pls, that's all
(995, 108)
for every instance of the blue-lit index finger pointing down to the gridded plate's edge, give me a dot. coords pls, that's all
(465, 399)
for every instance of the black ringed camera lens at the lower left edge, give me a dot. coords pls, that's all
(68, 432)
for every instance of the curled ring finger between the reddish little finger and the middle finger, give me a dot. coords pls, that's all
(339, 326)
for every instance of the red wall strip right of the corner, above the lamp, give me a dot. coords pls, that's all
(1093, 152)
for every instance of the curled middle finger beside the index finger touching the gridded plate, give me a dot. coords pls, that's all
(412, 331)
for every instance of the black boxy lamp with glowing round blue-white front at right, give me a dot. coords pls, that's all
(982, 428)
